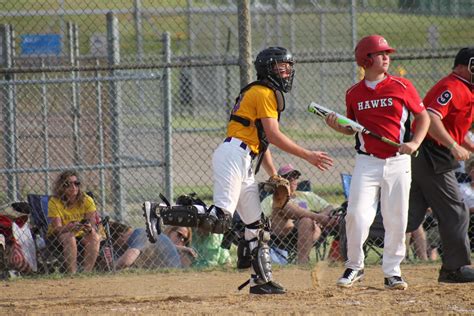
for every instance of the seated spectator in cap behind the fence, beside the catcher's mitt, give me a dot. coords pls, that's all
(302, 218)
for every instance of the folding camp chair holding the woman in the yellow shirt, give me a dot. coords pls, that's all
(50, 257)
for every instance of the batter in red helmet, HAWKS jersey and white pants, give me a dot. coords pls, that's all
(382, 103)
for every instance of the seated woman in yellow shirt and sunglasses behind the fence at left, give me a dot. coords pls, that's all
(73, 219)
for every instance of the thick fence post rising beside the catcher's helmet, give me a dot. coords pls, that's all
(245, 42)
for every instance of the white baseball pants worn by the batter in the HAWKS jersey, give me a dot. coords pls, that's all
(390, 180)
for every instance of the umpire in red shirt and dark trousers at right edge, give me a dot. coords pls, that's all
(449, 104)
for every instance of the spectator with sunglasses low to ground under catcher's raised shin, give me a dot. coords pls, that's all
(182, 238)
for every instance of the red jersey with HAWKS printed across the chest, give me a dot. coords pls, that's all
(384, 110)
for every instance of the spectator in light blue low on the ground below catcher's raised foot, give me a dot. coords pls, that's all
(133, 249)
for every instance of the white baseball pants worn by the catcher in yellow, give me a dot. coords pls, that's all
(234, 181)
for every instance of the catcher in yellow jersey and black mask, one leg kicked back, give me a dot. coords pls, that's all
(253, 125)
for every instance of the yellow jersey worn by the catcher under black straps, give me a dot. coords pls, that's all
(257, 102)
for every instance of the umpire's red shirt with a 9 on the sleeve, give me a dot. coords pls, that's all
(452, 99)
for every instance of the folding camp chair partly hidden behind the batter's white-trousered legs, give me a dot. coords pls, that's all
(375, 239)
